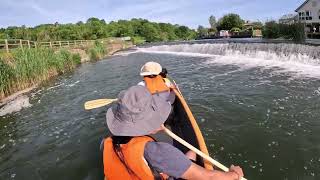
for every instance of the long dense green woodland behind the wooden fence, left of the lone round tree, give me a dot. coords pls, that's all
(94, 28)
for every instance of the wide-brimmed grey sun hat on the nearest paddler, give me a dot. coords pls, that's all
(137, 112)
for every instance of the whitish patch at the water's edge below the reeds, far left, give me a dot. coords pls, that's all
(15, 105)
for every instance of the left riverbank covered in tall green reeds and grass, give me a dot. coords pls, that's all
(23, 68)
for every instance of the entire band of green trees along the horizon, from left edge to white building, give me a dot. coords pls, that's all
(142, 30)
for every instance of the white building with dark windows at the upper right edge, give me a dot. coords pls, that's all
(309, 14)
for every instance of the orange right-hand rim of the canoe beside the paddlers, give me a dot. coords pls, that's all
(200, 139)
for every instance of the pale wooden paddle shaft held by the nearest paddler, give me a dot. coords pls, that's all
(197, 151)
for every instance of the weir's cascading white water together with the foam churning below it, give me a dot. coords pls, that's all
(294, 58)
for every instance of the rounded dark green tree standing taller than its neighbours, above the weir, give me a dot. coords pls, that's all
(230, 21)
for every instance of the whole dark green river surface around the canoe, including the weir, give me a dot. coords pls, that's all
(257, 105)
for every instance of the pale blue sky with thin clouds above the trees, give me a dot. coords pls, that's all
(185, 12)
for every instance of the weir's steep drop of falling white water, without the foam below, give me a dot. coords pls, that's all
(282, 51)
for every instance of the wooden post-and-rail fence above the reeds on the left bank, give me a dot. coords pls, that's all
(7, 44)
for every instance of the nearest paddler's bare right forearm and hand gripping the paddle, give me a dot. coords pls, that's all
(196, 172)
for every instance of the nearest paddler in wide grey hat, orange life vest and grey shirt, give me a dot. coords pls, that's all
(130, 153)
